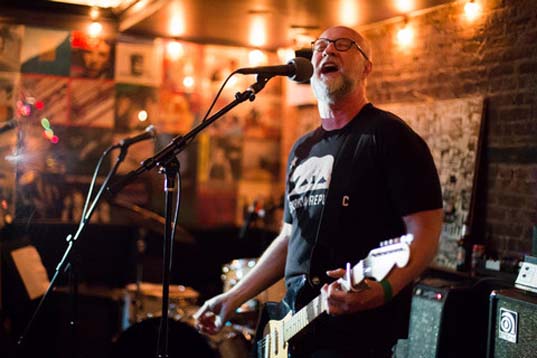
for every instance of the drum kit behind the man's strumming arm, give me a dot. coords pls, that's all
(141, 319)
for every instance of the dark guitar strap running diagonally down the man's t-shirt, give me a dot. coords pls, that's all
(338, 191)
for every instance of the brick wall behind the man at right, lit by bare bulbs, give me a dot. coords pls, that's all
(494, 56)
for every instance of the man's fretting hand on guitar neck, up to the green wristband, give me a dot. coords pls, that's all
(339, 302)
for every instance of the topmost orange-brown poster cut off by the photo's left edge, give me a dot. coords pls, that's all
(10, 47)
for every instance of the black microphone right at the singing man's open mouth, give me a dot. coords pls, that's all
(298, 69)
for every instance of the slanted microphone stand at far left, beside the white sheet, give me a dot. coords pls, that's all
(65, 262)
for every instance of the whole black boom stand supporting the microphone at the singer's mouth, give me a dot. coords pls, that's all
(169, 166)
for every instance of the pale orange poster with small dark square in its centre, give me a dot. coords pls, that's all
(139, 63)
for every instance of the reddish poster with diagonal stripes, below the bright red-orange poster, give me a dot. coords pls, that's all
(92, 103)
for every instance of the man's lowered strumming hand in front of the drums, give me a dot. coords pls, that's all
(210, 318)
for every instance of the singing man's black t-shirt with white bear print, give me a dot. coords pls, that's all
(392, 175)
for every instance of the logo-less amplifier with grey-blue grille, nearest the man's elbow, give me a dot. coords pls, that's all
(447, 319)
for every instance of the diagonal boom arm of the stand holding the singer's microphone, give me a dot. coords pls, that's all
(179, 143)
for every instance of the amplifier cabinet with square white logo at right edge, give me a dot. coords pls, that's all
(512, 324)
